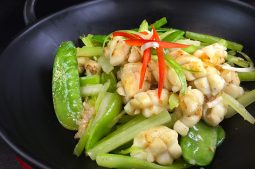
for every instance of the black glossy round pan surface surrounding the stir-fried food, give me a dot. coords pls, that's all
(27, 116)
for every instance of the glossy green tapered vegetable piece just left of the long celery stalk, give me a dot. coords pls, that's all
(109, 109)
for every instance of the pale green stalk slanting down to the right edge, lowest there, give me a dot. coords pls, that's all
(238, 107)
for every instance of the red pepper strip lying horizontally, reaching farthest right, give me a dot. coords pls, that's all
(140, 42)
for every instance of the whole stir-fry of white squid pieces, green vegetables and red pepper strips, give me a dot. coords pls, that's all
(151, 97)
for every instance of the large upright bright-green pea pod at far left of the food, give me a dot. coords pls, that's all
(66, 86)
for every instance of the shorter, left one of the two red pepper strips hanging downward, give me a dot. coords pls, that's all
(146, 60)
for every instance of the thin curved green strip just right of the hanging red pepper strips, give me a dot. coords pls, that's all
(179, 71)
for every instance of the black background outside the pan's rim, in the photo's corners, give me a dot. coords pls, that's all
(11, 24)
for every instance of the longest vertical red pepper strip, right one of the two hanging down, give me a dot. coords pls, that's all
(161, 63)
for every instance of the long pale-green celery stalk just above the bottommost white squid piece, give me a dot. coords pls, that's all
(127, 132)
